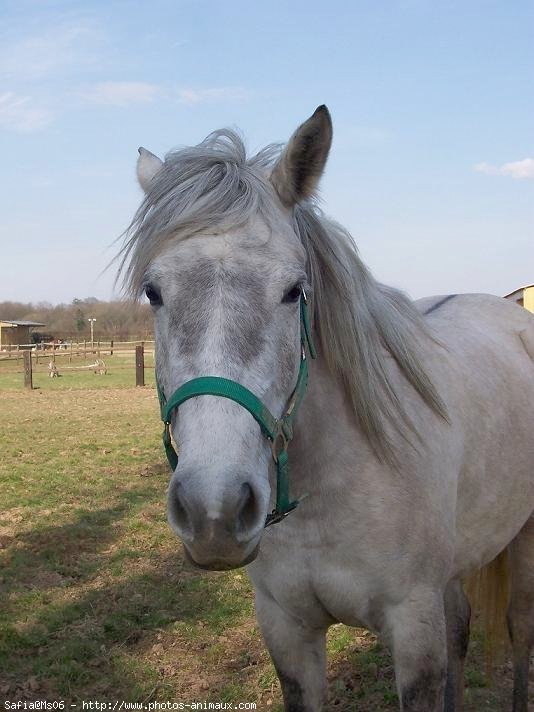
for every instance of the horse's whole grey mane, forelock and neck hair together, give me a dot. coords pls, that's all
(357, 320)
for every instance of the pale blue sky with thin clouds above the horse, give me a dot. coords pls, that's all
(432, 167)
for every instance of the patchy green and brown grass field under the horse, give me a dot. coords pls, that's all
(96, 601)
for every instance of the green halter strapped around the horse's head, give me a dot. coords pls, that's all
(278, 431)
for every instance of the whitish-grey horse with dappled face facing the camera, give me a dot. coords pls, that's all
(414, 442)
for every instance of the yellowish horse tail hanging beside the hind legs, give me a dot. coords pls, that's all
(488, 591)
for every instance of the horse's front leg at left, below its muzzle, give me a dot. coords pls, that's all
(298, 653)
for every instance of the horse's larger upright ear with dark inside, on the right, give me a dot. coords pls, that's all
(297, 173)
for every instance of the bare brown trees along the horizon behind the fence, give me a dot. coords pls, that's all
(118, 320)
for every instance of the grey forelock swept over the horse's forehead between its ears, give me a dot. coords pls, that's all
(211, 186)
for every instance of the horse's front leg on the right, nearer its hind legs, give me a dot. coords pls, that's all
(417, 634)
